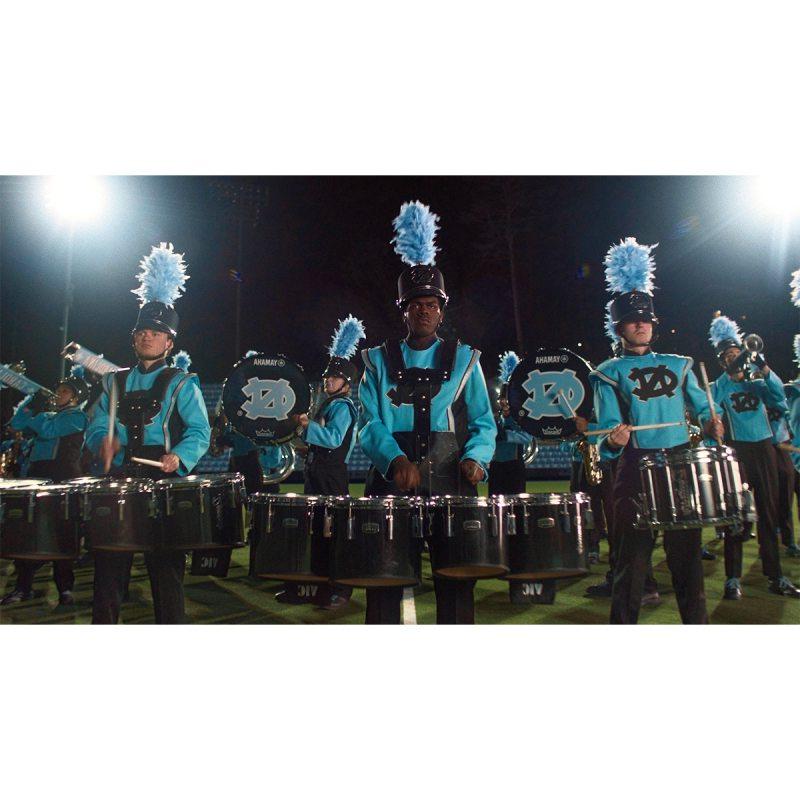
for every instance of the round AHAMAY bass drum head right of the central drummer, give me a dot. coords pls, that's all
(539, 386)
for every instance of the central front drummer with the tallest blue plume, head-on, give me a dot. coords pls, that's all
(426, 420)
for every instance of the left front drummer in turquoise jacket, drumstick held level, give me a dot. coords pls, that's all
(161, 416)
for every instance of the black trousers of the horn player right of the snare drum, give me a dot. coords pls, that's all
(759, 468)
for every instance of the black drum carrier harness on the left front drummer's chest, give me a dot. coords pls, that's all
(138, 408)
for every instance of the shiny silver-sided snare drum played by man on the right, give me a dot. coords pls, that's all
(691, 488)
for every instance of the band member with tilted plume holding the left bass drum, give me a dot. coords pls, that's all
(329, 436)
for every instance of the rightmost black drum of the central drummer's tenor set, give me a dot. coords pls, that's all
(548, 536)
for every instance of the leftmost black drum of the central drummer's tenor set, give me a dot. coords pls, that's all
(290, 538)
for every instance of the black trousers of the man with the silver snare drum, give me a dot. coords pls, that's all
(635, 548)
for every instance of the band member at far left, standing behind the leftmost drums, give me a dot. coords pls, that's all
(55, 453)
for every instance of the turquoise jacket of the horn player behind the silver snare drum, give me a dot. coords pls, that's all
(745, 405)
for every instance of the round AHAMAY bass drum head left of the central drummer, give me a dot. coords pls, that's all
(260, 396)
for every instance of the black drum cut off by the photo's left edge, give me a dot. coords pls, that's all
(40, 521)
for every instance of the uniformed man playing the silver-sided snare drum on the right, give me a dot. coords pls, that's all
(643, 387)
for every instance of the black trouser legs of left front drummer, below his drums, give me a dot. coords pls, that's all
(112, 572)
